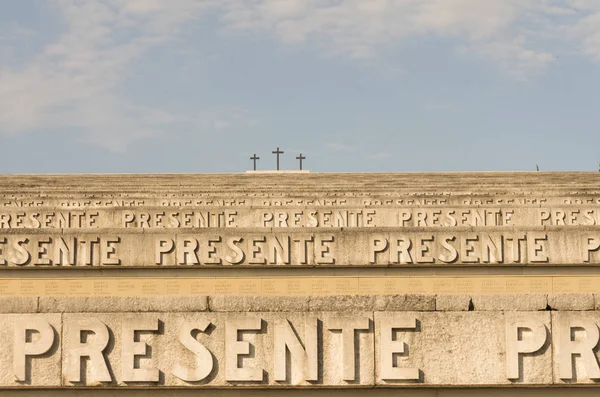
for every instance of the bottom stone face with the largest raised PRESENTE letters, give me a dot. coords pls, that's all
(310, 349)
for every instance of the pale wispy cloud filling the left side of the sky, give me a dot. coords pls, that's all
(76, 82)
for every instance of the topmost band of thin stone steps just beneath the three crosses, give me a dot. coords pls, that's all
(462, 182)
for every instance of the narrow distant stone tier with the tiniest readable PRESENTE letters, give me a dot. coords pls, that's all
(322, 202)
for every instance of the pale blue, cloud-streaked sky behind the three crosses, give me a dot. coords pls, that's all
(155, 86)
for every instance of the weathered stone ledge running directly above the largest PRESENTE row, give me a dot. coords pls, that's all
(334, 303)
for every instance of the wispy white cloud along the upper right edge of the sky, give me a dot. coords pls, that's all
(520, 37)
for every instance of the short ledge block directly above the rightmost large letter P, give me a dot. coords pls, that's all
(524, 302)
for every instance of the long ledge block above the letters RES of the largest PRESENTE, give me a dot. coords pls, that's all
(96, 304)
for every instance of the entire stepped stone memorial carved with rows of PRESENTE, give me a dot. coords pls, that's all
(300, 284)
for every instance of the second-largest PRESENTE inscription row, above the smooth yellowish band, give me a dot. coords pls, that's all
(377, 247)
